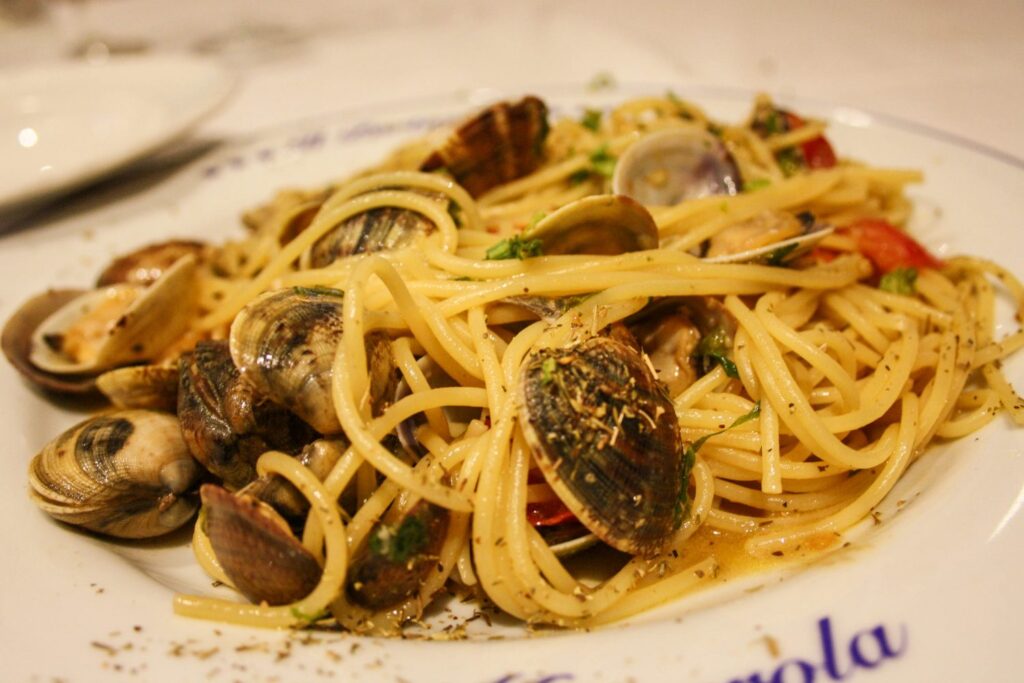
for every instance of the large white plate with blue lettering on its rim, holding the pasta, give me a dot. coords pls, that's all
(933, 593)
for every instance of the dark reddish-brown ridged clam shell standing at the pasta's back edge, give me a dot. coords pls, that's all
(503, 143)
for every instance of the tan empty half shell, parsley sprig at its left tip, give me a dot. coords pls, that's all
(606, 225)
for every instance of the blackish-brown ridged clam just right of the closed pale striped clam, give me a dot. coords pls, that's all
(226, 421)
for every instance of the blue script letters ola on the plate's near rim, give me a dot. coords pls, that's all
(868, 650)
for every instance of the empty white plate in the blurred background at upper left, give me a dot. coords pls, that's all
(67, 123)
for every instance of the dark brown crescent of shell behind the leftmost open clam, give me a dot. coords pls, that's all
(17, 344)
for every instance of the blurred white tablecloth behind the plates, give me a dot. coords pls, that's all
(953, 66)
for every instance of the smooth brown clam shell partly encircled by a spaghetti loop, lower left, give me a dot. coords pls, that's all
(257, 548)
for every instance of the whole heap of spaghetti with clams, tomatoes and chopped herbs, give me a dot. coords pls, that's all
(467, 364)
